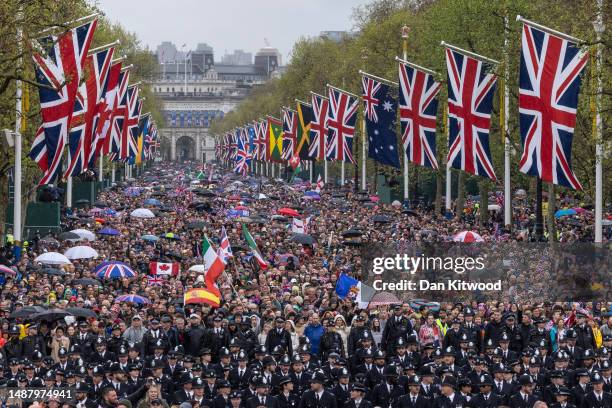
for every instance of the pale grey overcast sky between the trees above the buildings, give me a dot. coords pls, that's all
(230, 24)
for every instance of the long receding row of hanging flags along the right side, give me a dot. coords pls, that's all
(550, 69)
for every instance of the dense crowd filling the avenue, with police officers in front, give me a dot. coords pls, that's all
(282, 337)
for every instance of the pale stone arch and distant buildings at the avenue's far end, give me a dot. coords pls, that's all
(195, 91)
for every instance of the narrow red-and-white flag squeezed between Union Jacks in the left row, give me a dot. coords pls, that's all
(108, 103)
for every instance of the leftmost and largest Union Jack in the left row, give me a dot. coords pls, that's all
(60, 69)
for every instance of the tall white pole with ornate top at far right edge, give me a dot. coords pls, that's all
(599, 27)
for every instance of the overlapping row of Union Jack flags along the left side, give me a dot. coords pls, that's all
(87, 105)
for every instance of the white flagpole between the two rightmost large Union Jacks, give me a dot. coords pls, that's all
(507, 147)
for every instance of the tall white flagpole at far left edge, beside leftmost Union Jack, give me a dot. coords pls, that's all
(17, 138)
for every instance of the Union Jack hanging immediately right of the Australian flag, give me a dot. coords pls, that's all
(418, 107)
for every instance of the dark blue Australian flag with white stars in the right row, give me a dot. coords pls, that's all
(380, 109)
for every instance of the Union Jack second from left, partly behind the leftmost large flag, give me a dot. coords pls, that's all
(82, 142)
